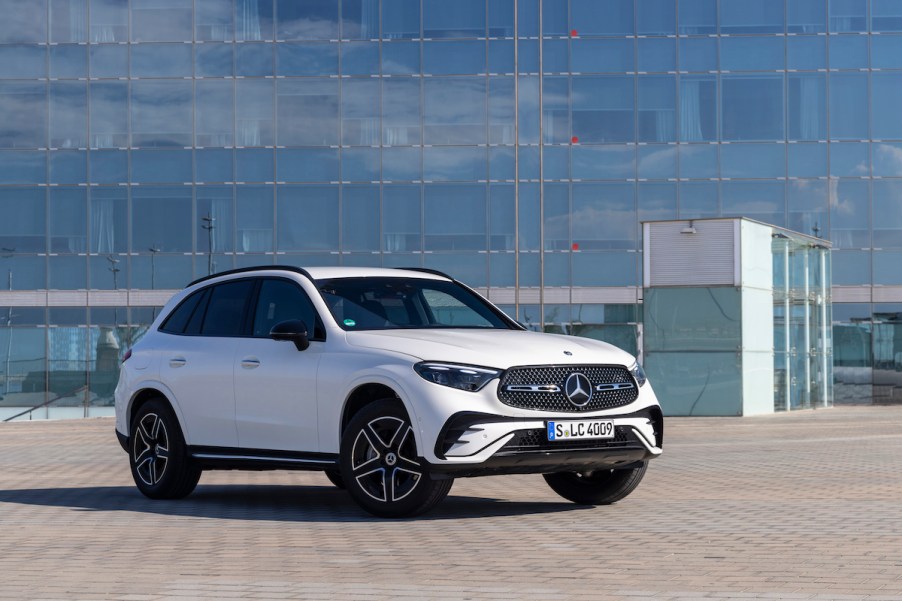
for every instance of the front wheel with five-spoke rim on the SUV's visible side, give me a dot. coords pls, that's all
(381, 467)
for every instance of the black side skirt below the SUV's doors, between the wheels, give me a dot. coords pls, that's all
(227, 458)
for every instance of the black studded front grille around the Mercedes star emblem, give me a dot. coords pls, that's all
(542, 388)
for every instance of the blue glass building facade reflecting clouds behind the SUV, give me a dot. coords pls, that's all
(516, 144)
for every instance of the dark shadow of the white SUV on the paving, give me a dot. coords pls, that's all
(265, 502)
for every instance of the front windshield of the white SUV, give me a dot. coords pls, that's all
(394, 303)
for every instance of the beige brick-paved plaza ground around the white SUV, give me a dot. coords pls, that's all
(802, 506)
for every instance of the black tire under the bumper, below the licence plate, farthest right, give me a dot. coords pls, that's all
(601, 487)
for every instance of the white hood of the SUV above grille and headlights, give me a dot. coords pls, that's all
(492, 348)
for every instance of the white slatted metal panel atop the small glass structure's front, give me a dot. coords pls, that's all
(677, 257)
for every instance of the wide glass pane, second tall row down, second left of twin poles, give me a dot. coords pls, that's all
(455, 111)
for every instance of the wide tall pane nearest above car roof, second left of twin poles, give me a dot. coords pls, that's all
(455, 217)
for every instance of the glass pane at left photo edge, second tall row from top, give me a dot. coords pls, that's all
(24, 107)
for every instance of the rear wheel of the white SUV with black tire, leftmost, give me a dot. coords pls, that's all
(157, 453)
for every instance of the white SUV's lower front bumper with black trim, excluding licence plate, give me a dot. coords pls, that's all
(472, 444)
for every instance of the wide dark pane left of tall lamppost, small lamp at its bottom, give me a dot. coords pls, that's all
(161, 218)
